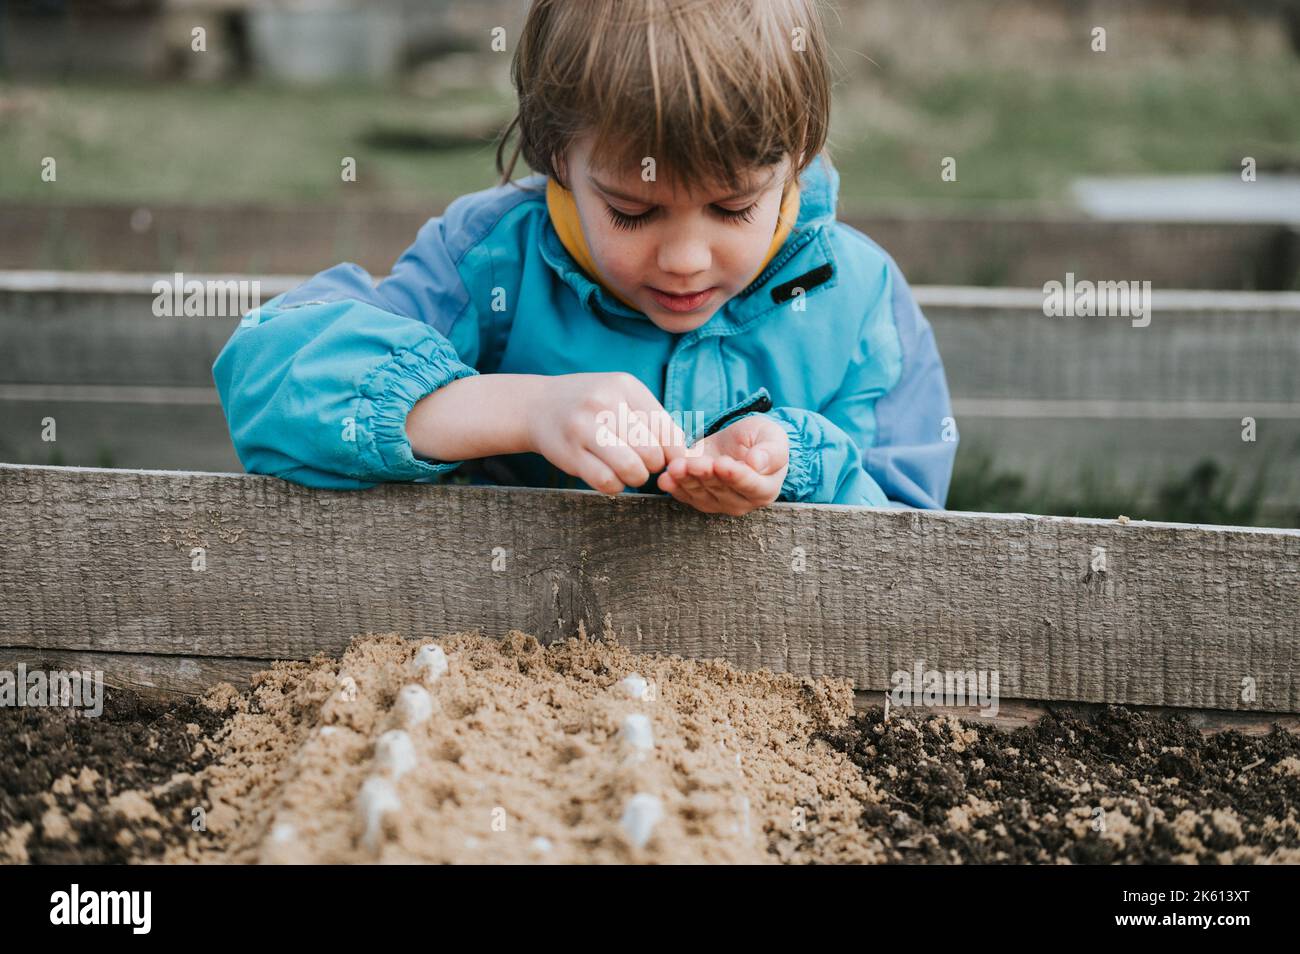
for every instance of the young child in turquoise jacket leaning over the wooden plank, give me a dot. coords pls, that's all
(669, 305)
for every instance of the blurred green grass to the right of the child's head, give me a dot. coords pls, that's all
(1024, 136)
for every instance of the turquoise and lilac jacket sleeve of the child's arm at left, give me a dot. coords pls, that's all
(318, 383)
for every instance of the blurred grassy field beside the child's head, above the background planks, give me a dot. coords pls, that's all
(1012, 90)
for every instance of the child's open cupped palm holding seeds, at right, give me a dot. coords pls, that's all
(739, 470)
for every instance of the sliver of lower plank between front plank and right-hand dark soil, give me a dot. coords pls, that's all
(1019, 714)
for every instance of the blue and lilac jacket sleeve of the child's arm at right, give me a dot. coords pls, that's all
(889, 437)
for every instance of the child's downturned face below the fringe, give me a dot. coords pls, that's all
(699, 242)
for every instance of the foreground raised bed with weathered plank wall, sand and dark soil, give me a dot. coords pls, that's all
(752, 748)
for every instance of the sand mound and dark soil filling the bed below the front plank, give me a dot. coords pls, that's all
(523, 753)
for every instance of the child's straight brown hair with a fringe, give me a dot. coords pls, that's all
(710, 89)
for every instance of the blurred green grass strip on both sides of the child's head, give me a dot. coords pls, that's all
(1016, 135)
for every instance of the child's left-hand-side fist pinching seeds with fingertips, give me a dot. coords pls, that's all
(606, 430)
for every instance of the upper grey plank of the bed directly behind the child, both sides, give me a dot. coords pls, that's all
(1207, 349)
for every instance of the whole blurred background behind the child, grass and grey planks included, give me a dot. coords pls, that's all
(228, 161)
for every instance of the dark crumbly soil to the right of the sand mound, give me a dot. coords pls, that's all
(1120, 787)
